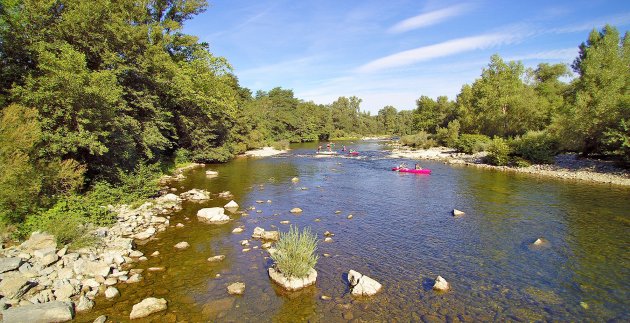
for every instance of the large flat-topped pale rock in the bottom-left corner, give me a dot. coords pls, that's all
(47, 312)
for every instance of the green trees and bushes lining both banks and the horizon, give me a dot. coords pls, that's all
(95, 96)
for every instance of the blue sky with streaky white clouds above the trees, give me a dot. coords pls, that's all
(392, 52)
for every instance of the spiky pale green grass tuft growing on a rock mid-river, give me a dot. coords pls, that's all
(295, 254)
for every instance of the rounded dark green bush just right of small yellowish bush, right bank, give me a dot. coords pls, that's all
(536, 146)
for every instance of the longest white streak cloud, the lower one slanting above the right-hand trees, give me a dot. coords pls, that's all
(446, 48)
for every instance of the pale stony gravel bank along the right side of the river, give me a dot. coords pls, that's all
(566, 166)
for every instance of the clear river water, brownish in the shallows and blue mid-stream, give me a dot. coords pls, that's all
(403, 235)
